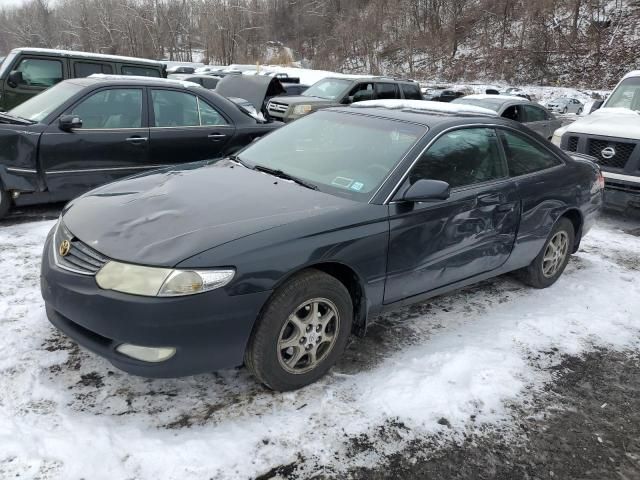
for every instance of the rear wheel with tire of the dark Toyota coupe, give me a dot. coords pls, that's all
(547, 267)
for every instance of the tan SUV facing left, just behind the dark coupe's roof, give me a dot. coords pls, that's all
(331, 92)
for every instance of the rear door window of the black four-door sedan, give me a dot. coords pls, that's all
(175, 109)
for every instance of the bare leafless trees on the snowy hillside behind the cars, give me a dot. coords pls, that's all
(580, 42)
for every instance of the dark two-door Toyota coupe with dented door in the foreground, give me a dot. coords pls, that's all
(274, 257)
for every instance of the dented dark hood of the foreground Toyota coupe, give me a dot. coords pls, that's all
(162, 218)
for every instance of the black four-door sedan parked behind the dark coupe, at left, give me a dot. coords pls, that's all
(83, 133)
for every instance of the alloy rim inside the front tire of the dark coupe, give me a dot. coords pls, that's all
(308, 335)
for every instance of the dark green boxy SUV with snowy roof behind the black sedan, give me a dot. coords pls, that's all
(28, 71)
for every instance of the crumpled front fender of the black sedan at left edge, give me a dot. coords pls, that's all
(19, 158)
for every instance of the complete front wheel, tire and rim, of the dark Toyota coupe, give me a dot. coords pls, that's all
(301, 332)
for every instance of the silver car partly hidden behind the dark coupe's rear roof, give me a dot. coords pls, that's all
(532, 114)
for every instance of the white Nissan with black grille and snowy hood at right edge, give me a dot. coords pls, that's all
(612, 135)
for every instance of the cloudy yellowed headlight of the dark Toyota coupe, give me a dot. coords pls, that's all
(160, 282)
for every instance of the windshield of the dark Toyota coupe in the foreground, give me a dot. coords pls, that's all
(342, 154)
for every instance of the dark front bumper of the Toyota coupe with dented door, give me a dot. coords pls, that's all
(210, 331)
